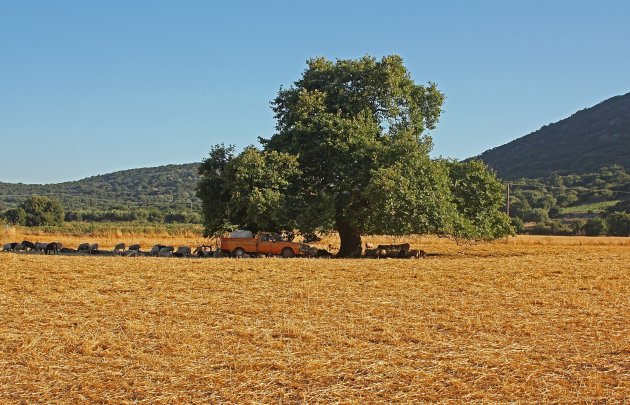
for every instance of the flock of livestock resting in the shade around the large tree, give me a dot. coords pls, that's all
(204, 251)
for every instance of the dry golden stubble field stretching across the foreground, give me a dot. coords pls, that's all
(527, 319)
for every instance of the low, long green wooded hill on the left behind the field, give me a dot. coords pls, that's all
(163, 186)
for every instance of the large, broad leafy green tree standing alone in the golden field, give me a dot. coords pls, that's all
(351, 154)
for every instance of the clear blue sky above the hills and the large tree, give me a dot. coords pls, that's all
(91, 87)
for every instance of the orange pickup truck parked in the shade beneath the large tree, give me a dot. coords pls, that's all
(265, 243)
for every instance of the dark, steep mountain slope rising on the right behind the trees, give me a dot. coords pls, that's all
(584, 142)
